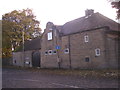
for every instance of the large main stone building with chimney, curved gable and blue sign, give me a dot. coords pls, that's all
(89, 42)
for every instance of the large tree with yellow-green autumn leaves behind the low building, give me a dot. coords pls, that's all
(16, 26)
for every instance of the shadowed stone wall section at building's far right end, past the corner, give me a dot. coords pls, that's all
(112, 50)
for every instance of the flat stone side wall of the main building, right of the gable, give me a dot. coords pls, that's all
(79, 50)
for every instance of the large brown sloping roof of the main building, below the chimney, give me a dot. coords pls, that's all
(96, 20)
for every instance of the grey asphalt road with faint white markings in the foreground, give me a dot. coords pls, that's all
(14, 78)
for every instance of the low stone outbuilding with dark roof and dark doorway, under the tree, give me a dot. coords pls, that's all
(30, 56)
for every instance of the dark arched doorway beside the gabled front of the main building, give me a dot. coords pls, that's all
(36, 59)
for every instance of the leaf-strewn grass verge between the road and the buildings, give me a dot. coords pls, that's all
(98, 73)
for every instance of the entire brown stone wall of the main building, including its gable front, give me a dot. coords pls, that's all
(81, 53)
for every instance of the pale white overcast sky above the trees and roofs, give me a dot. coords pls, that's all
(58, 11)
